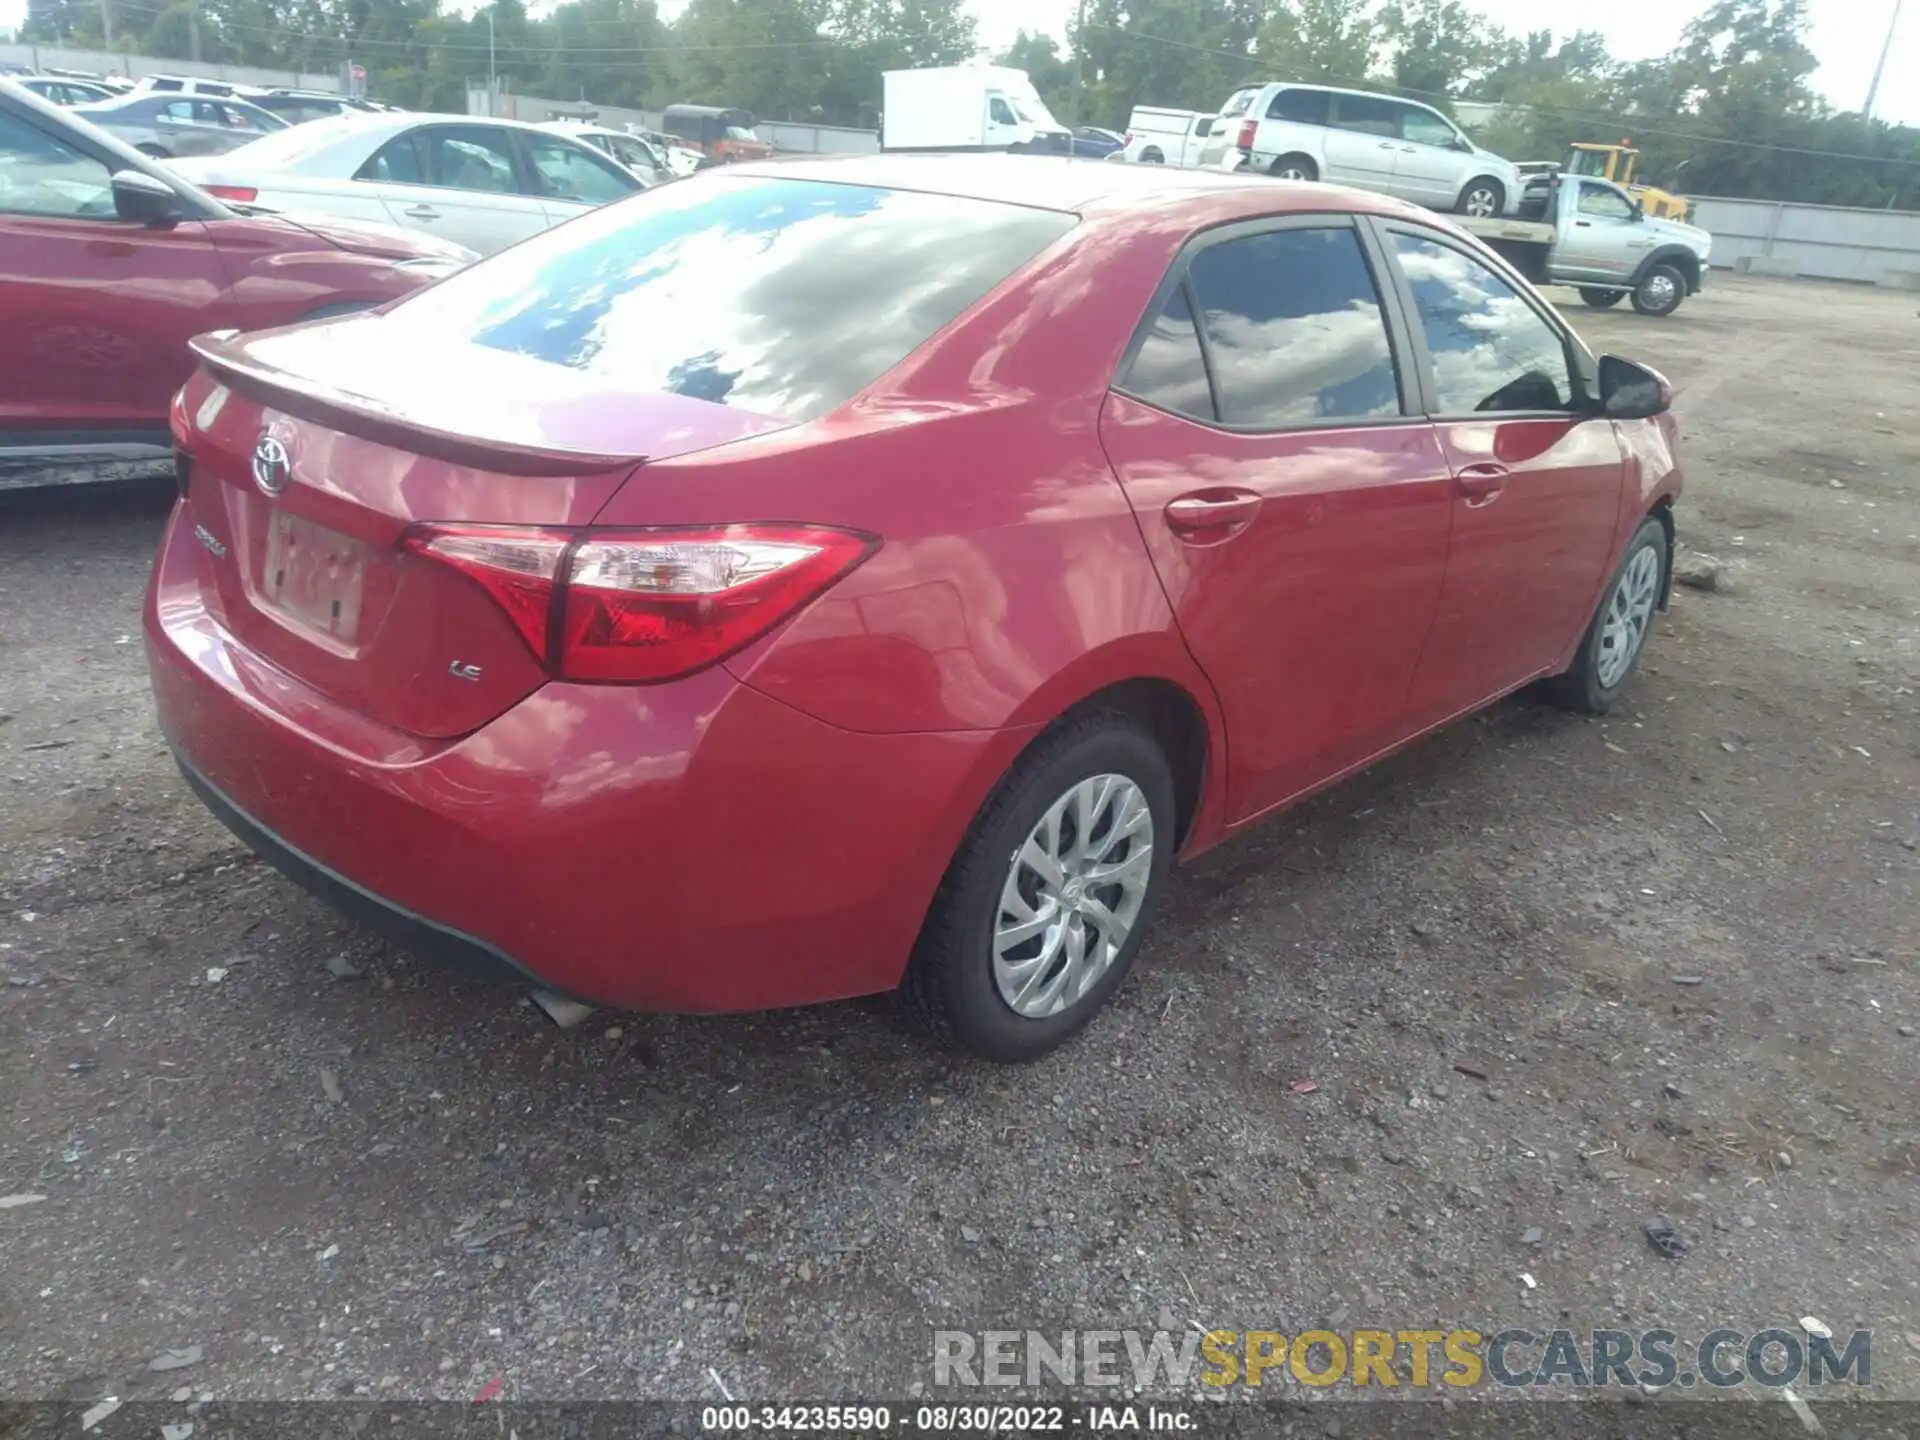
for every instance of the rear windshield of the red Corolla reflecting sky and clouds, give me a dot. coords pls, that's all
(773, 295)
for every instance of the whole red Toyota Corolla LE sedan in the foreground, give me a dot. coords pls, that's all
(844, 577)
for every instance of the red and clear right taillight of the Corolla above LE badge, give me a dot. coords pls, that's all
(644, 606)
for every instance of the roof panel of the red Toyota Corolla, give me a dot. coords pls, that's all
(1082, 185)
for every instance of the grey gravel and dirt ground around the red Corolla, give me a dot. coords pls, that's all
(1679, 946)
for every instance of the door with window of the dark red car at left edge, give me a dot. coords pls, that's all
(97, 310)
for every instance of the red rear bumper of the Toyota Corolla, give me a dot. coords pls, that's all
(677, 848)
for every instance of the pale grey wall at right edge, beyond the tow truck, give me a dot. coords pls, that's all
(1879, 247)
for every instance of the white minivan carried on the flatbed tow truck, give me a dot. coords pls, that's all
(1370, 141)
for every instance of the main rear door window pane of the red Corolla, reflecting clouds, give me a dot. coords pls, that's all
(1295, 329)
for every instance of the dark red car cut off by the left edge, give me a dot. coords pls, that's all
(110, 264)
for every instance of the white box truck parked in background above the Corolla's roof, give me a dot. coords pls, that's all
(967, 108)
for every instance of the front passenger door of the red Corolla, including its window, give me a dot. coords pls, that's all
(1539, 479)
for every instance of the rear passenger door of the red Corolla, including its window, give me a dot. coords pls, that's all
(1291, 496)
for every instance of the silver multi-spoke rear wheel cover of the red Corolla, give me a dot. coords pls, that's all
(1072, 896)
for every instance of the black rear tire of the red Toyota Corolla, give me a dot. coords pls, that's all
(953, 984)
